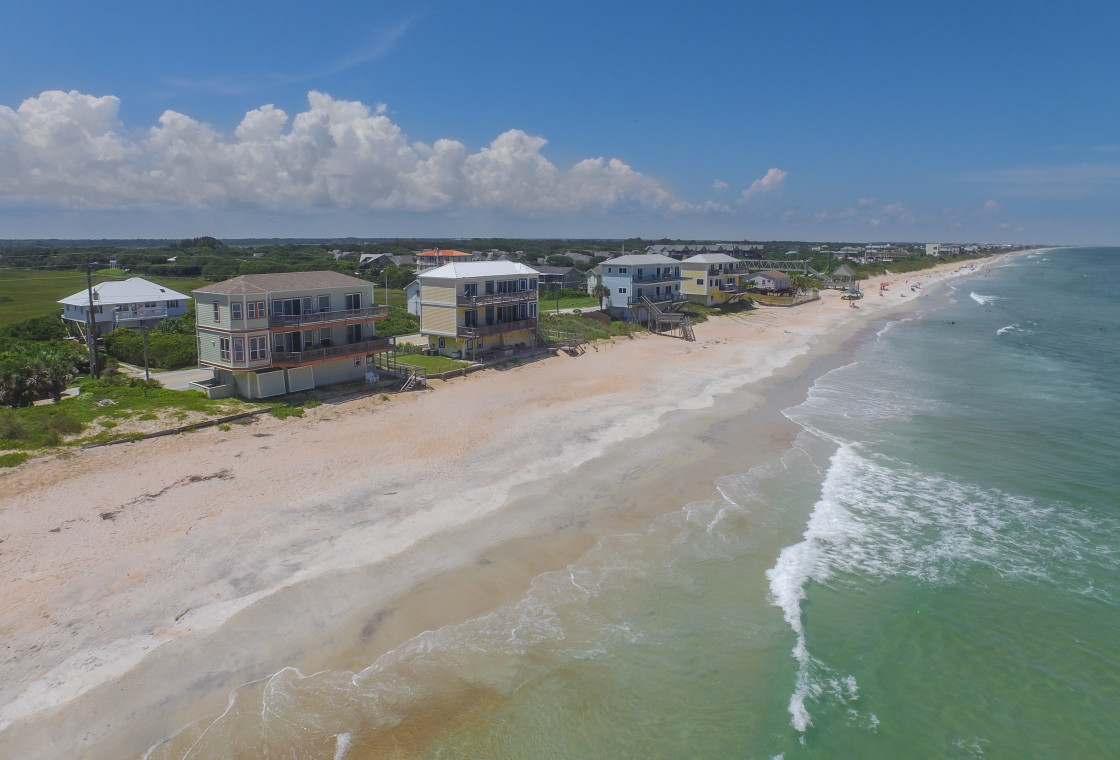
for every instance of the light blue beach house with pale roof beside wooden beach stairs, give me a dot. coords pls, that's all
(645, 276)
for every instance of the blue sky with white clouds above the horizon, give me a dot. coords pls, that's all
(950, 121)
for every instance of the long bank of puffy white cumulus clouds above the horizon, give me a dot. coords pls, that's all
(71, 149)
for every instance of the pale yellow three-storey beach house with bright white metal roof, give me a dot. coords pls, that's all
(468, 308)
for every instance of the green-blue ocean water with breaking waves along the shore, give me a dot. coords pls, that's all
(931, 570)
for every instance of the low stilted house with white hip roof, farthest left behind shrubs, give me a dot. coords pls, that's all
(135, 303)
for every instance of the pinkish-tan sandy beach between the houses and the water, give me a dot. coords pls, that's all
(145, 583)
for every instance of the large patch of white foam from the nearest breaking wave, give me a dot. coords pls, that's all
(880, 519)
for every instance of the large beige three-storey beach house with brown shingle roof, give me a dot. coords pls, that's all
(265, 335)
